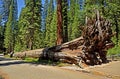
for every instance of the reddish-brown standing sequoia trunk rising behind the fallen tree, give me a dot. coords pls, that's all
(59, 23)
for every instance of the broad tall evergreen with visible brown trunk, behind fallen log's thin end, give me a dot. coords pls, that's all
(30, 25)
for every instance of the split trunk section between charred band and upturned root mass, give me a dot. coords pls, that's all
(68, 52)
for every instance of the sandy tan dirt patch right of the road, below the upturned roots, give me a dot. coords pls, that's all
(110, 70)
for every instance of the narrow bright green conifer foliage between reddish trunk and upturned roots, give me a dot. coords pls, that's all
(74, 20)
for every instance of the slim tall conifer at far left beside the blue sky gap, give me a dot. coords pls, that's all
(9, 30)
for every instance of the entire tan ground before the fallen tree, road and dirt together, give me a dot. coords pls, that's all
(18, 69)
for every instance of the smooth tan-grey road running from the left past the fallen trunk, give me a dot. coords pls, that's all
(16, 69)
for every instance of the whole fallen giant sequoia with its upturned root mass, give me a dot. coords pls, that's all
(91, 48)
